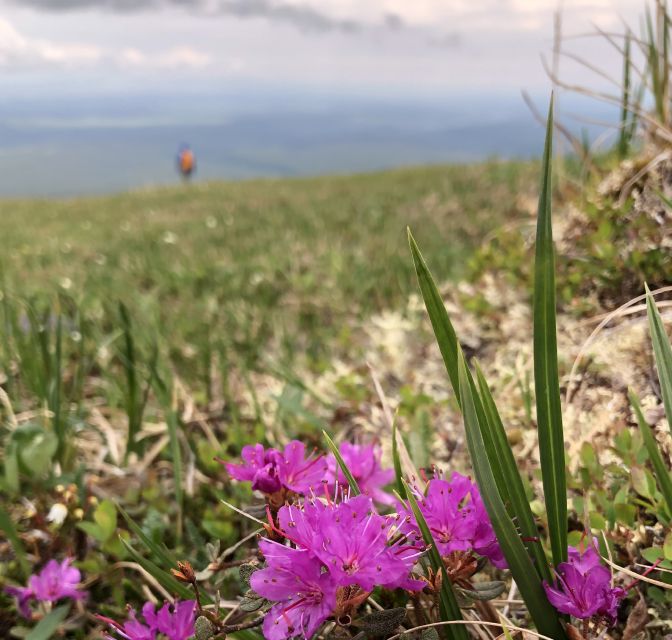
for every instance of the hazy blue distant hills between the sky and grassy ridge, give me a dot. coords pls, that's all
(72, 146)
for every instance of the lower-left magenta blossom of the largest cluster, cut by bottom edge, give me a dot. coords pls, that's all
(305, 595)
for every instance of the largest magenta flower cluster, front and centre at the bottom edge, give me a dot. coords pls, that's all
(334, 545)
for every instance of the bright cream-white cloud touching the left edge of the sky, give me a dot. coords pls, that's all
(19, 51)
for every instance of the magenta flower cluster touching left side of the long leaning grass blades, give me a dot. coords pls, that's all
(457, 518)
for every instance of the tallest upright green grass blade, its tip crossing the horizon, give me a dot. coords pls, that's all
(547, 385)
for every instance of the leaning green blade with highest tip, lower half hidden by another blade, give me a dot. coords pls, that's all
(438, 316)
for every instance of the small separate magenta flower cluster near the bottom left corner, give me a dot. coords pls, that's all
(56, 581)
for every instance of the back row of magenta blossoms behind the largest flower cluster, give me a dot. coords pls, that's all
(270, 470)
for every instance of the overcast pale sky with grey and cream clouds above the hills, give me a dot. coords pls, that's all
(400, 46)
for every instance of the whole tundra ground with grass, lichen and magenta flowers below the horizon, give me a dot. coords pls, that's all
(246, 411)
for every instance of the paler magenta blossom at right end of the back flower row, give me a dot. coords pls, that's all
(363, 461)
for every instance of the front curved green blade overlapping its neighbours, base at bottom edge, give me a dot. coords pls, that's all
(545, 617)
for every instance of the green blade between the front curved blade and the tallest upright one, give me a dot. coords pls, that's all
(504, 459)
